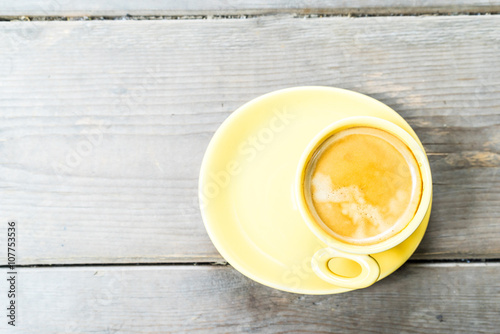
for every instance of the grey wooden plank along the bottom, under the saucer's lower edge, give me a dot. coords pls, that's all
(183, 299)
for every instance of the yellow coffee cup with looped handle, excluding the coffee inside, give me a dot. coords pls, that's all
(336, 248)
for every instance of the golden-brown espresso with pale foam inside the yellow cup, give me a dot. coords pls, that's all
(363, 185)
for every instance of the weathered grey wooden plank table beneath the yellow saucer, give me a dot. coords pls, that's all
(105, 118)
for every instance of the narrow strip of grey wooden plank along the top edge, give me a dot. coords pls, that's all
(241, 7)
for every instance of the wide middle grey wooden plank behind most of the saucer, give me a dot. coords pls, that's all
(104, 123)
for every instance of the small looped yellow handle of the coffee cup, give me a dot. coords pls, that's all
(370, 270)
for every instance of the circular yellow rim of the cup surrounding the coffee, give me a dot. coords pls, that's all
(374, 122)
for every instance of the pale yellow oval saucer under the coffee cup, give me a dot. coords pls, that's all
(246, 186)
